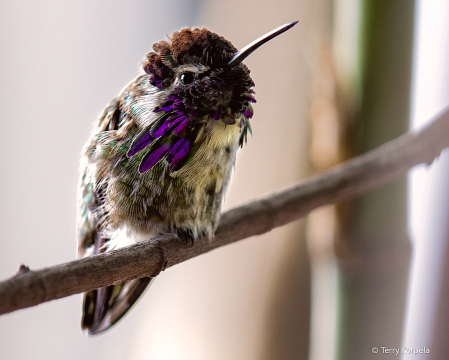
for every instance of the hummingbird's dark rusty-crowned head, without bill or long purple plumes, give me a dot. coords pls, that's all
(193, 66)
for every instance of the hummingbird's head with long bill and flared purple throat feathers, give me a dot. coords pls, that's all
(198, 77)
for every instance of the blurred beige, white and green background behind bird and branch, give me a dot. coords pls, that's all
(351, 75)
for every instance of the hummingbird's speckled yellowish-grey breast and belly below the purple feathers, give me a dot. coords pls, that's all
(189, 199)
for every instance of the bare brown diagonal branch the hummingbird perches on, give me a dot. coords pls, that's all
(148, 258)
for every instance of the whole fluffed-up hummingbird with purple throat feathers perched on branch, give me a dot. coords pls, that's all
(160, 157)
